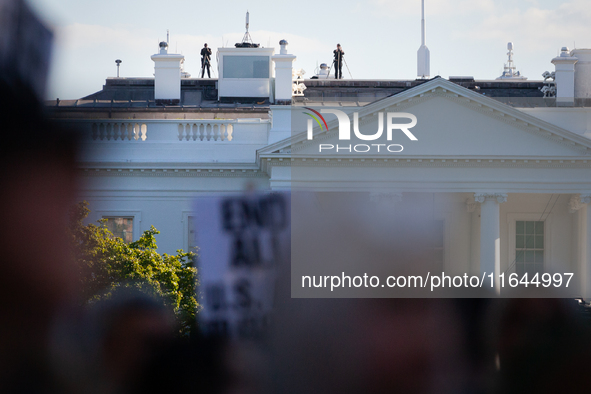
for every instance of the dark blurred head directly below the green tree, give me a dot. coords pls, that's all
(104, 347)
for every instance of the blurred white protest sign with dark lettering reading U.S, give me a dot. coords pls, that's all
(242, 241)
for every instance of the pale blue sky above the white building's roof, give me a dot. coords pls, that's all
(380, 37)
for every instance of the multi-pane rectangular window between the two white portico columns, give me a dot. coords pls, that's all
(529, 247)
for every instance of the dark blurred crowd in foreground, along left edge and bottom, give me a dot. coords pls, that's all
(128, 344)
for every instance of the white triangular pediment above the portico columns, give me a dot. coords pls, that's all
(452, 121)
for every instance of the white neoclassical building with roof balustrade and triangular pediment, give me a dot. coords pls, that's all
(508, 178)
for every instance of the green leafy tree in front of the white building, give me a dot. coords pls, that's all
(107, 263)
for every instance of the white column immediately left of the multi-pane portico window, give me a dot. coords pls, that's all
(490, 233)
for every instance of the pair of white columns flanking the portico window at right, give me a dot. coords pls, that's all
(490, 237)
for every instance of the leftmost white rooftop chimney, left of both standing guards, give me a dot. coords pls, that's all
(167, 76)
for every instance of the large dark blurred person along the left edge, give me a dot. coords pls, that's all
(37, 185)
